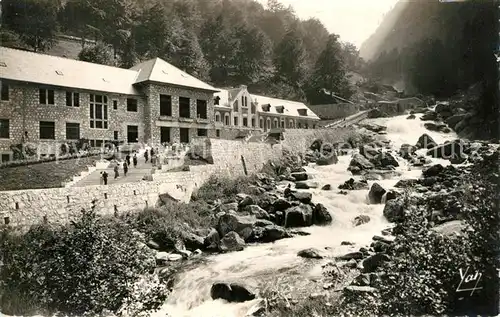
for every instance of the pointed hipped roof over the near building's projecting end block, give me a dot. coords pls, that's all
(157, 70)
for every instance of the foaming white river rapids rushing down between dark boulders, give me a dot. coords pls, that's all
(258, 264)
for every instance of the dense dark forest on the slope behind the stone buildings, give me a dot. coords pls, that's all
(225, 42)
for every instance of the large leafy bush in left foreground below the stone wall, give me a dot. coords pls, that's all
(87, 267)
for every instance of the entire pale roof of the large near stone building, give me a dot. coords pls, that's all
(44, 69)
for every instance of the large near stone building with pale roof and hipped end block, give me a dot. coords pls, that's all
(55, 100)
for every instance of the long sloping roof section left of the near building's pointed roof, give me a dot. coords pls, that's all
(57, 71)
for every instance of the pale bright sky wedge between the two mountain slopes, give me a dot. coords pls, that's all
(353, 20)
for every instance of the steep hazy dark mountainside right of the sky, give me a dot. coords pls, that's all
(440, 49)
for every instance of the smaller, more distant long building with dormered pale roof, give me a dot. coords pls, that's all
(238, 110)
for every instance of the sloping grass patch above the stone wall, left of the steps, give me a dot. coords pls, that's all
(43, 175)
